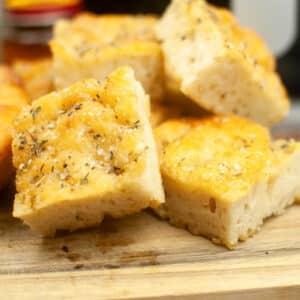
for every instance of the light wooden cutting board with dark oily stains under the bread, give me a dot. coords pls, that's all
(141, 257)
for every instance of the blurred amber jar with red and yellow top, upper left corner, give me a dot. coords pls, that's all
(28, 26)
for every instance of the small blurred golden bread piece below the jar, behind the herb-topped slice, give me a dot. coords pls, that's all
(36, 75)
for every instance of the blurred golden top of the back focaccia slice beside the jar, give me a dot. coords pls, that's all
(89, 33)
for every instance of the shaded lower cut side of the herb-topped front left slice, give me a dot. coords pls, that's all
(86, 212)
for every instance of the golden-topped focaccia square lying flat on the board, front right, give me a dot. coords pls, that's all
(223, 176)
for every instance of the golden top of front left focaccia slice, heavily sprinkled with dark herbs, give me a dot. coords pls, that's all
(87, 139)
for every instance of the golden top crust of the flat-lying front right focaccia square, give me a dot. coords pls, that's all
(223, 156)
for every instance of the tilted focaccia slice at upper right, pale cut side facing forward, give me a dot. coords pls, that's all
(224, 68)
